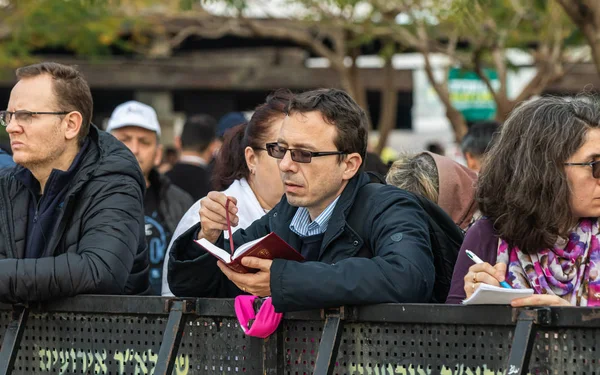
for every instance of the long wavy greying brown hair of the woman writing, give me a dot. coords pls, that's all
(523, 186)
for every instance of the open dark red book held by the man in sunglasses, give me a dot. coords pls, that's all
(270, 246)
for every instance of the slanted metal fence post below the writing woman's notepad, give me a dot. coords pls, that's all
(520, 352)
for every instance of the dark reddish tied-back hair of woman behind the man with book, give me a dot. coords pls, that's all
(230, 164)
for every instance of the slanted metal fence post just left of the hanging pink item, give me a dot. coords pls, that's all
(172, 335)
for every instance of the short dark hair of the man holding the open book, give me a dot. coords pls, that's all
(338, 109)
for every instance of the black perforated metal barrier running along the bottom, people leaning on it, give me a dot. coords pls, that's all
(154, 335)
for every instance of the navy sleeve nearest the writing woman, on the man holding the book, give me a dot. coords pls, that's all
(401, 270)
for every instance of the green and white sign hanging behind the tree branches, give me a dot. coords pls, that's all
(471, 96)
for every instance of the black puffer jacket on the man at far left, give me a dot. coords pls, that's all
(98, 243)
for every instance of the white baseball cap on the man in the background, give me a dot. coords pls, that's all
(133, 113)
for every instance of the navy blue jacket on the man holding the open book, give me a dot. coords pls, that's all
(394, 264)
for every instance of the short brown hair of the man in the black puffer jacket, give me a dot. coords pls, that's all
(71, 90)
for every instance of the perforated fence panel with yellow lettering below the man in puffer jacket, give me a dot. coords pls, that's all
(64, 343)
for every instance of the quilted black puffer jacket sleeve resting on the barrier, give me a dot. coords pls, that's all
(102, 261)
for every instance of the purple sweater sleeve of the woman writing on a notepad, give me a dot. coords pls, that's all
(481, 239)
